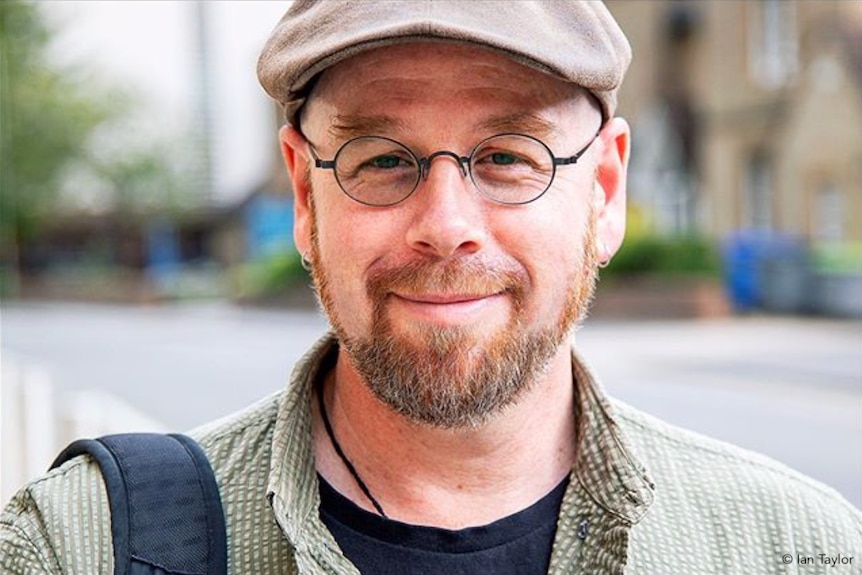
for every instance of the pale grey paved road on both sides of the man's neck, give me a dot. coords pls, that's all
(791, 388)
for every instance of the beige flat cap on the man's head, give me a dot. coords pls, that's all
(575, 40)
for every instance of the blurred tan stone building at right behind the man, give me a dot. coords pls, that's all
(746, 115)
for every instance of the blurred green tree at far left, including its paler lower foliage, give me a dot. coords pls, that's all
(64, 134)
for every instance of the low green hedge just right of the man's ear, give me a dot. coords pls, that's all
(654, 255)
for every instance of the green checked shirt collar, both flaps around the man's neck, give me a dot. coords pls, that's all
(605, 467)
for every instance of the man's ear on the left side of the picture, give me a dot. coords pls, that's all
(294, 149)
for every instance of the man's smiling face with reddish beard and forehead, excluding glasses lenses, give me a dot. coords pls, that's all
(450, 305)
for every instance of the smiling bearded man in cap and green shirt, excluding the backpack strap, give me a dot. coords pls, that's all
(459, 175)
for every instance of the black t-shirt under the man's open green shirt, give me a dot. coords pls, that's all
(519, 544)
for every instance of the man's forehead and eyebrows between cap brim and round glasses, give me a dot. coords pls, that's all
(389, 90)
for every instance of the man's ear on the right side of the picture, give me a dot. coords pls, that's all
(610, 192)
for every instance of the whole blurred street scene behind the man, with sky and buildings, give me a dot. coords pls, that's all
(148, 278)
